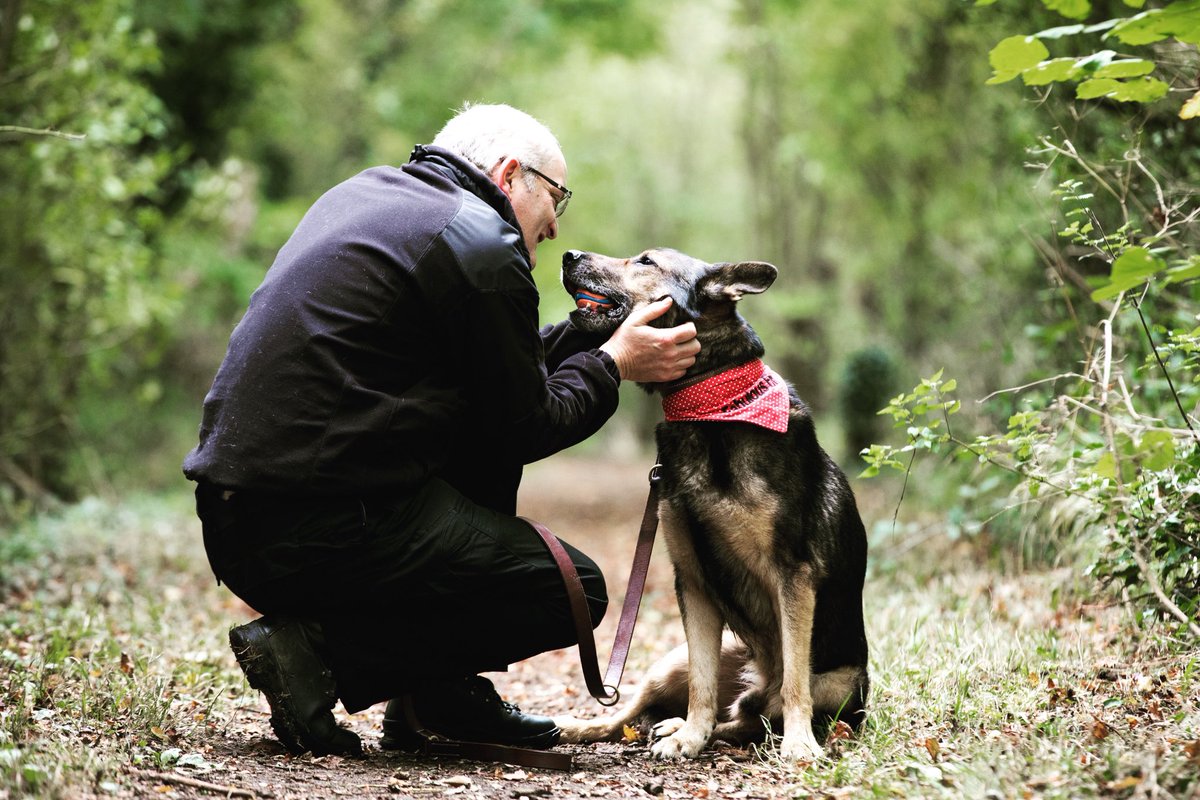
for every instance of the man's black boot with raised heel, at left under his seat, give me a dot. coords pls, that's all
(280, 659)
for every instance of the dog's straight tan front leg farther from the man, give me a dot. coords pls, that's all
(797, 606)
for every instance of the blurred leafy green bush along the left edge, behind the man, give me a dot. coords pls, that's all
(79, 221)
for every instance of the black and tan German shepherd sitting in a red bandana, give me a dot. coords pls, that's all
(761, 526)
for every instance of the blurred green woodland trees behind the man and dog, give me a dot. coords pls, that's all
(914, 209)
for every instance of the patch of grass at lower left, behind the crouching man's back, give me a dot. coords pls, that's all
(106, 657)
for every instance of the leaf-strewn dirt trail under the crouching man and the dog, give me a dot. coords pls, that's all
(597, 508)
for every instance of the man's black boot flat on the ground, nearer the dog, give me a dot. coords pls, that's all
(469, 711)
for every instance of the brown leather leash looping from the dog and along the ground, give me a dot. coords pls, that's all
(605, 689)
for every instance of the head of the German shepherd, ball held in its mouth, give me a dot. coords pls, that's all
(608, 290)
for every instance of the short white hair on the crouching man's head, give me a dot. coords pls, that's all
(485, 135)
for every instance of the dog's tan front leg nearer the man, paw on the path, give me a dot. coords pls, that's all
(703, 625)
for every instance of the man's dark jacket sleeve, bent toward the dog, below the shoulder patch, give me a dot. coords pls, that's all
(538, 411)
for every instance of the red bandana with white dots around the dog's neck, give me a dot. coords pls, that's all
(752, 393)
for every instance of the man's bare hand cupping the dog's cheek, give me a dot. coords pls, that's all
(652, 356)
